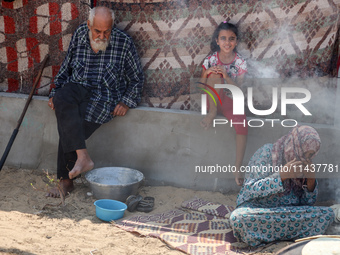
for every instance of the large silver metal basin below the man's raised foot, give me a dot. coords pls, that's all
(114, 182)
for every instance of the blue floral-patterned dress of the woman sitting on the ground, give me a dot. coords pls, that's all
(266, 213)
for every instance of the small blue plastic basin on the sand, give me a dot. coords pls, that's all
(108, 209)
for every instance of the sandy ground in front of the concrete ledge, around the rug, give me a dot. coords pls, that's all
(28, 226)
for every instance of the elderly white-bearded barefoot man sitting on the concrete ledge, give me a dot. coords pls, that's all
(100, 78)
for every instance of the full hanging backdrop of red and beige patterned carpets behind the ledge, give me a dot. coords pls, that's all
(279, 39)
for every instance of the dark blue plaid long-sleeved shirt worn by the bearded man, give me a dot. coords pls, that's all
(113, 76)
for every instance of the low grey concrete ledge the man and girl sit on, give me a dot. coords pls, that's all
(166, 145)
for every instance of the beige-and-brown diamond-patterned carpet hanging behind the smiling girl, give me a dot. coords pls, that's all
(279, 38)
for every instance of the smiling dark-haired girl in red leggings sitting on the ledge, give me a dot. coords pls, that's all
(225, 66)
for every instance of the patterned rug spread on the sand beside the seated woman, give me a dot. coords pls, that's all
(198, 228)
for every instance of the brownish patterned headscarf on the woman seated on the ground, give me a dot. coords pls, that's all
(293, 145)
